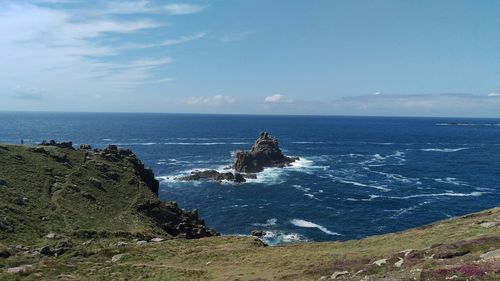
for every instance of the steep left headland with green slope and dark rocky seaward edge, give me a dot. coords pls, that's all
(54, 188)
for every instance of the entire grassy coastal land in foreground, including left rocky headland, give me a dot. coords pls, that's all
(94, 214)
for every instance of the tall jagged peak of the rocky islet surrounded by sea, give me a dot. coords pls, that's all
(264, 153)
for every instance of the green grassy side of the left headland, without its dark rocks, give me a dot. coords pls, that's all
(46, 195)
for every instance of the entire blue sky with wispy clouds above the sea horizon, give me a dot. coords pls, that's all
(322, 57)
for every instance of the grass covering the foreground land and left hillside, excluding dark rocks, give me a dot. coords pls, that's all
(440, 250)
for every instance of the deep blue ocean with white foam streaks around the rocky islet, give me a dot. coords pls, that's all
(357, 176)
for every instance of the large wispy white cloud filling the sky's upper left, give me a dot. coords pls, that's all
(62, 52)
